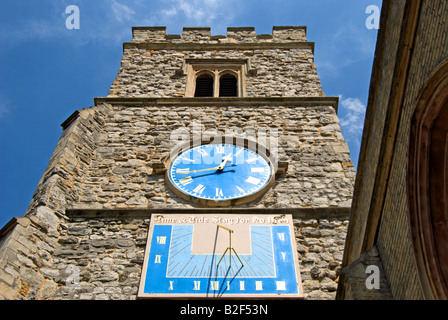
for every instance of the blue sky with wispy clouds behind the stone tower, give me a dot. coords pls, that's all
(48, 71)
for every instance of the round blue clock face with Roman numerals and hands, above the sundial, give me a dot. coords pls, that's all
(219, 172)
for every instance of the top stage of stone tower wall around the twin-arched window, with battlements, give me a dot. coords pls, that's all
(279, 65)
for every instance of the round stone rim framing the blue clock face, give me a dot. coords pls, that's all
(236, 141)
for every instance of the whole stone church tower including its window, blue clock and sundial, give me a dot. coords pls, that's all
(215, 167)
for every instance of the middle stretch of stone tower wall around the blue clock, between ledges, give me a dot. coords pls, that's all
(134, 139)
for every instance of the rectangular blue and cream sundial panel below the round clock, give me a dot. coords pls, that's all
(220, 256)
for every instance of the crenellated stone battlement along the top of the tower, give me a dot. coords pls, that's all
(234, 35)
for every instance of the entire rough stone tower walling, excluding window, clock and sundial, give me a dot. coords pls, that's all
(84, 234)
